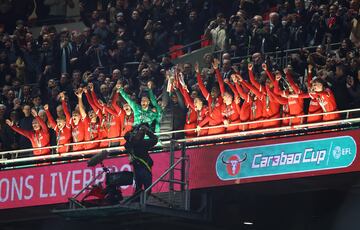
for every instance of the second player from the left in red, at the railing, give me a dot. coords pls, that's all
(62, 130)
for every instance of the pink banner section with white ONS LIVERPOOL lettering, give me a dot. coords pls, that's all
(56, 183)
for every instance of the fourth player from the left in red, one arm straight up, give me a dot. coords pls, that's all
(91, 123)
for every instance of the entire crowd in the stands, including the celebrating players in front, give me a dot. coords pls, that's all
(63, 86)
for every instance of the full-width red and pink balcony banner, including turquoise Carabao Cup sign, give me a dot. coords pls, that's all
(210, 166)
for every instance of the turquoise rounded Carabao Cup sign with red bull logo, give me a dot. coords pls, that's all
(285, 158)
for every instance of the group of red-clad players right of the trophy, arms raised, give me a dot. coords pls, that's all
(250, 102)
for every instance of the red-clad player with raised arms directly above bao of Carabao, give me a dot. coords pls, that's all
(294, 106)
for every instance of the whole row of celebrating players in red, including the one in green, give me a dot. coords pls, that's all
(232, 105)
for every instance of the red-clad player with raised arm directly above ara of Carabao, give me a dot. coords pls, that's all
(271, 108)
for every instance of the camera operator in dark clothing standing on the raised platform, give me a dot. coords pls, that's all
(137, 147)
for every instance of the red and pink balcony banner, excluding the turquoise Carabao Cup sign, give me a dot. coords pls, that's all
(56, 183)
